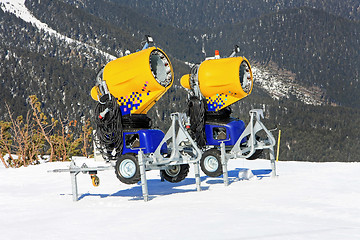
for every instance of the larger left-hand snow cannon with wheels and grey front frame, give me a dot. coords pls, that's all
(125, 91)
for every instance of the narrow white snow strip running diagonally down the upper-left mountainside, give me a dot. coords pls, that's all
(18, 8)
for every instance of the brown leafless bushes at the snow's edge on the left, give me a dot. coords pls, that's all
(34, 135)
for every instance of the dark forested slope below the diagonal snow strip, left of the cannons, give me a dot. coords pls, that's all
(40, 61)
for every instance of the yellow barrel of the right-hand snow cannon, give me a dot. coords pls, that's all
(222, 81)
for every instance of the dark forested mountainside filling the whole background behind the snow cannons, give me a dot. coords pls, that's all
(304, 60)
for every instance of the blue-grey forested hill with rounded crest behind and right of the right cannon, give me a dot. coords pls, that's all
(320, 49)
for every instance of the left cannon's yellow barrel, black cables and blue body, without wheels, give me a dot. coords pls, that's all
(126, 89)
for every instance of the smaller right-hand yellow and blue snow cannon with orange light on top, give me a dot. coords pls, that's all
(212, 87)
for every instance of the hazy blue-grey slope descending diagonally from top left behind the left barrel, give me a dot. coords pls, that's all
(177, 42)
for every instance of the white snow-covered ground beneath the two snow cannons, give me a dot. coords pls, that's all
(306, 201)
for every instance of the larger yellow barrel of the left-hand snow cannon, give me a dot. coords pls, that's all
(139, 79)
